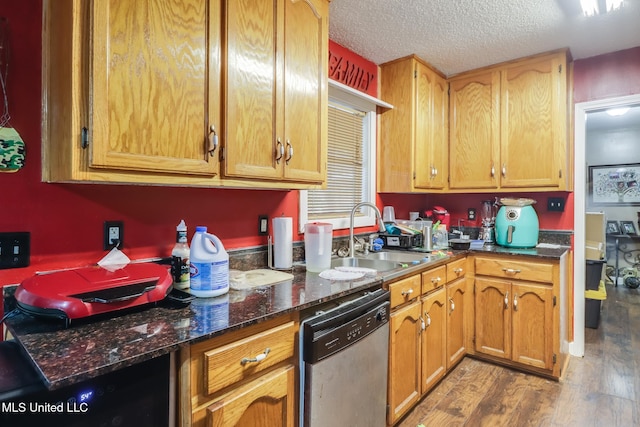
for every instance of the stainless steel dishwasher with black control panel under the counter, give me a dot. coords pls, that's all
(343, 367)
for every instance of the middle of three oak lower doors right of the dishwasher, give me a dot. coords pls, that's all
(434, 338)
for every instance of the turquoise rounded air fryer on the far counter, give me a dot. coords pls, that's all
(517, 223)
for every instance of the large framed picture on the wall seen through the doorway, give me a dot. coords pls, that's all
(615, 185)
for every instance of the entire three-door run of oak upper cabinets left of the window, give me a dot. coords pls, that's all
(189, 92)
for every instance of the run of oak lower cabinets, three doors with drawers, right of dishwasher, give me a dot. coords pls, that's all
(429, 332)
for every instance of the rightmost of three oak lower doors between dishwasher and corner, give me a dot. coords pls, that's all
(458, 305)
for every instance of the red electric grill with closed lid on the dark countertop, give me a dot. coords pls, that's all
(84, 292)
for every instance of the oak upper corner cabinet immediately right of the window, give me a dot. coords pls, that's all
(413, 149)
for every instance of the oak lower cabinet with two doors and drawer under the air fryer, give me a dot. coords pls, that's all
(518, 318)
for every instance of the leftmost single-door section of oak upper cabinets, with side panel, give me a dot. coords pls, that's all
(131, 90)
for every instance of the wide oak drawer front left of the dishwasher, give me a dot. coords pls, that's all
(224, 366)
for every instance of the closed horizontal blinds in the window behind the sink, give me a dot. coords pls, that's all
(347, 158)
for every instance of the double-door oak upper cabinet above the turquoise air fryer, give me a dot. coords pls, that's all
(509, 128)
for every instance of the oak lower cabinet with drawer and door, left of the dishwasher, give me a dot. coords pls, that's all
(222, 383)
